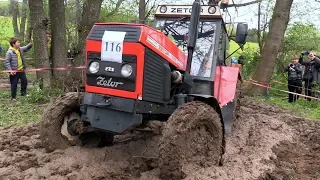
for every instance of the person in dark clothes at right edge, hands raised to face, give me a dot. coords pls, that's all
(311, 75)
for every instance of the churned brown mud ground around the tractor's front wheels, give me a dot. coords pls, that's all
(266, 144)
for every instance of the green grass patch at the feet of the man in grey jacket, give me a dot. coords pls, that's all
(17, 113)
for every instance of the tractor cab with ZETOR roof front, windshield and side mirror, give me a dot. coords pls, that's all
(212, 41)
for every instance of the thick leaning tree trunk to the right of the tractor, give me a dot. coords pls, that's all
(278, 26)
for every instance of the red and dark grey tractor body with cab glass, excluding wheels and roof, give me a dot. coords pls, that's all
(112, 101)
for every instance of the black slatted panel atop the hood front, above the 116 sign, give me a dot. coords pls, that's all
(132, 32)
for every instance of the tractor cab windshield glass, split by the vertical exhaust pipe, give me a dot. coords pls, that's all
(177, 31)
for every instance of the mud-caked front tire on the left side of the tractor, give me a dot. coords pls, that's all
(53, 119)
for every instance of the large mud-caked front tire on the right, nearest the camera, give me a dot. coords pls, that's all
(193, 135)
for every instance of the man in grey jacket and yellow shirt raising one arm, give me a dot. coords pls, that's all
(15, 61)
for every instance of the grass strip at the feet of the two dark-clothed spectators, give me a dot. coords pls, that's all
(301, 108)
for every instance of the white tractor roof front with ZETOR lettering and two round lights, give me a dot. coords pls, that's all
(207, 11)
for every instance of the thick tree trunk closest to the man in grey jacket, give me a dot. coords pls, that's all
(39, 24)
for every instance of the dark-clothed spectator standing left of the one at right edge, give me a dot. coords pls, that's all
(294, 70)
